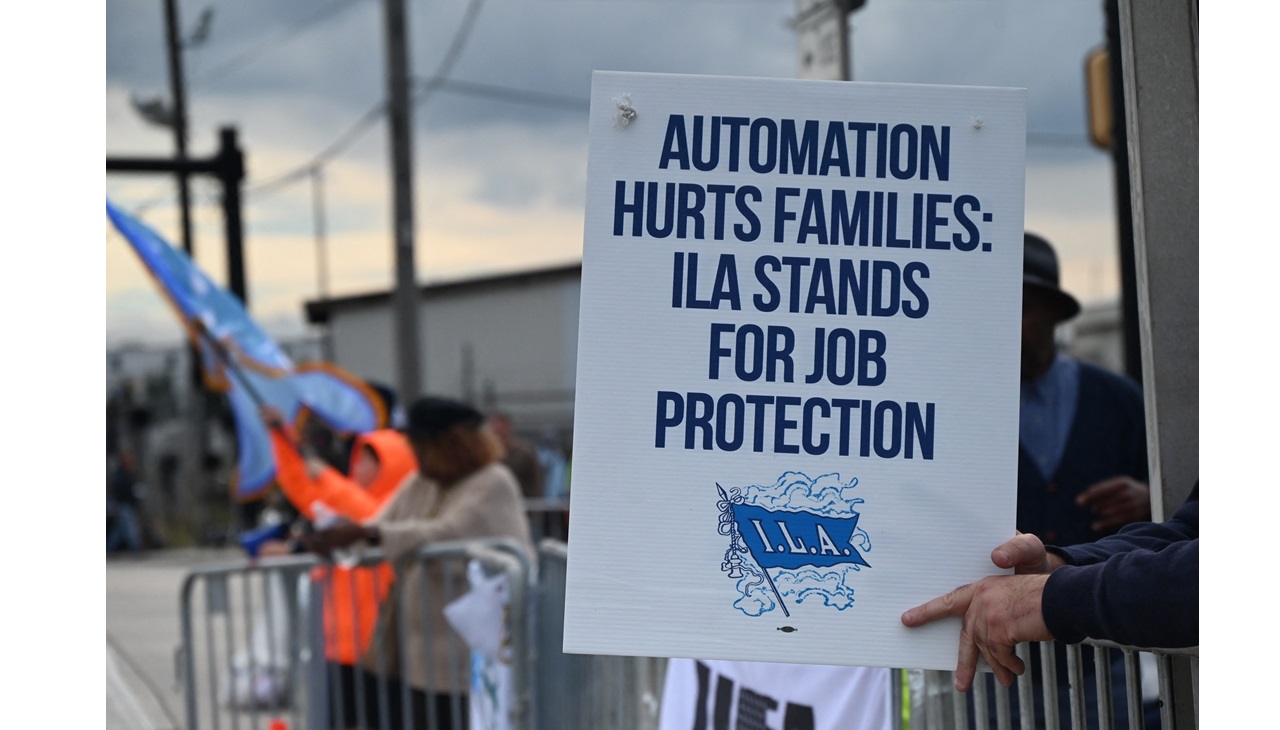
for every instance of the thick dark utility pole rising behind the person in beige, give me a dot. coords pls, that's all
(400, 126)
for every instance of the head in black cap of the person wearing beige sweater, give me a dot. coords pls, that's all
(450, 439)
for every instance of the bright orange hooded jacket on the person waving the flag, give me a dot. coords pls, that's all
(351, 595)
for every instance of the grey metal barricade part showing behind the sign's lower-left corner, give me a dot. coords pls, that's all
(587, 692)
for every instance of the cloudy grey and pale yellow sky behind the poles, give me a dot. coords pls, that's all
(501, 148)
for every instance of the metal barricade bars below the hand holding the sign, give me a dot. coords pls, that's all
(935, 704)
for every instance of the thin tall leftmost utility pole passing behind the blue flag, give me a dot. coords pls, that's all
(198, 432)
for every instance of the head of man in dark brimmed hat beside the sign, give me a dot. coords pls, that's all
(1045, 305)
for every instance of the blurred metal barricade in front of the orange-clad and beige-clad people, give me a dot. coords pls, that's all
(231, 612)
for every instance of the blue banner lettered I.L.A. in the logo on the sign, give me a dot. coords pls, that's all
(796, 540)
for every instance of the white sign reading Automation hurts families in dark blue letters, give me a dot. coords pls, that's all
(797, 409)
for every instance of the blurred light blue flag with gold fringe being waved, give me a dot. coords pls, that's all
(260, 367)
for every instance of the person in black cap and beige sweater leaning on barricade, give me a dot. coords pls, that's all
(461, 491)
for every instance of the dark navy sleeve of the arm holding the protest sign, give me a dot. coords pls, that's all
(1140, 587)
